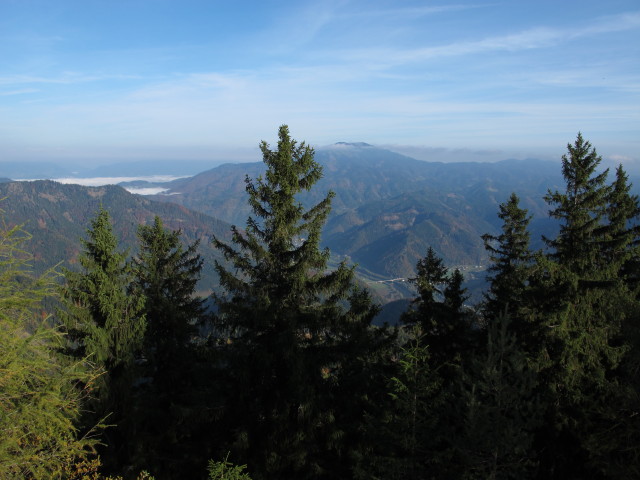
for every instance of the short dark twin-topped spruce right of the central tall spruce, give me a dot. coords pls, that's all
(447, 334)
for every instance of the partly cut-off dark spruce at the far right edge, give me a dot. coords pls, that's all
(619, 429)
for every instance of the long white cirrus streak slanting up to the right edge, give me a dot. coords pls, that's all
(354, 65)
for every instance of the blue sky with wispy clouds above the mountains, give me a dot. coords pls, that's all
(102, 81)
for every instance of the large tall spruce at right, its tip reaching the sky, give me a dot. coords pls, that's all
(581, 335)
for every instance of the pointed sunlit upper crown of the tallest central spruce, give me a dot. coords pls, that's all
(278, 259)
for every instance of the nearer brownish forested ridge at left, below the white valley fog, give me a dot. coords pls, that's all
(58, 215)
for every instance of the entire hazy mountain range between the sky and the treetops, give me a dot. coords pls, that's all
(388, 209)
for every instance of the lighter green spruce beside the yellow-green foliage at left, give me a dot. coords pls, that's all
(105, 323)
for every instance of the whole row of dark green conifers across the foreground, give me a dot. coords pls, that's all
(283, 372)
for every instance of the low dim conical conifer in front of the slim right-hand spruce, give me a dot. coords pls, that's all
(501, 409)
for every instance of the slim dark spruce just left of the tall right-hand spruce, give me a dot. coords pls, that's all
(511, 262)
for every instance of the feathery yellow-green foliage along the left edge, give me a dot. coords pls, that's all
(39, 394)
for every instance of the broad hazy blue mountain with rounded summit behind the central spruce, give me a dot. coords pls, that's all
(389, 208)
